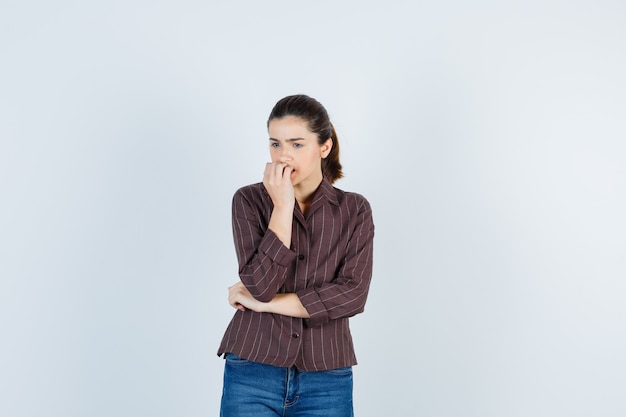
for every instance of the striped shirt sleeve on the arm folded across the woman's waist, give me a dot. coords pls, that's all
(346, 294)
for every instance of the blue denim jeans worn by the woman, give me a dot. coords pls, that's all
(257, 390)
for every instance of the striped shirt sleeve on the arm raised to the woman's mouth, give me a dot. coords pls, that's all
(263, 259)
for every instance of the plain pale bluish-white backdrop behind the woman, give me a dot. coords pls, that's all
(488, 136)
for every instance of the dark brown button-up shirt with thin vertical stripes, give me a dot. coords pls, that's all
(329, 267)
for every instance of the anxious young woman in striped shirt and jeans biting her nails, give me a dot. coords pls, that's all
(305, 263)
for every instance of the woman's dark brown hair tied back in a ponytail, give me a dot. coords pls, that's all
(312, 112)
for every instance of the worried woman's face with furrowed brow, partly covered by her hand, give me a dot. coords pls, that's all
(292, 143)
